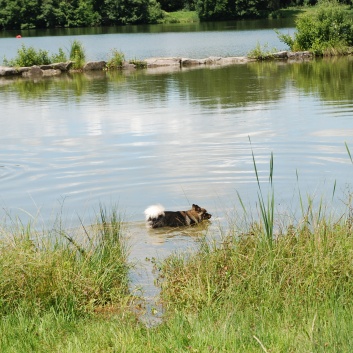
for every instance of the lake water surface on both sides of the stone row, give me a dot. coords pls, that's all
(133, 139)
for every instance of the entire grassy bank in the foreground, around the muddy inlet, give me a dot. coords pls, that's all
(292, 294)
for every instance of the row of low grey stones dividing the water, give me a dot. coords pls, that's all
(152, 63)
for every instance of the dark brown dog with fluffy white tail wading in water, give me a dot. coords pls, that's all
(157, 217)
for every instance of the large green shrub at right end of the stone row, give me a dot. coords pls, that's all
(328, 30)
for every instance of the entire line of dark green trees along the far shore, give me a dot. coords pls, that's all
(25, 14)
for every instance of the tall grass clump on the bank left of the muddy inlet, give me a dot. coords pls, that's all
(56, 271)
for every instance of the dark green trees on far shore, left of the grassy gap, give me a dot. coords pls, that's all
(23, 14)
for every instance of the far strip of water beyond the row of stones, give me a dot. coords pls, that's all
(196, 40)
